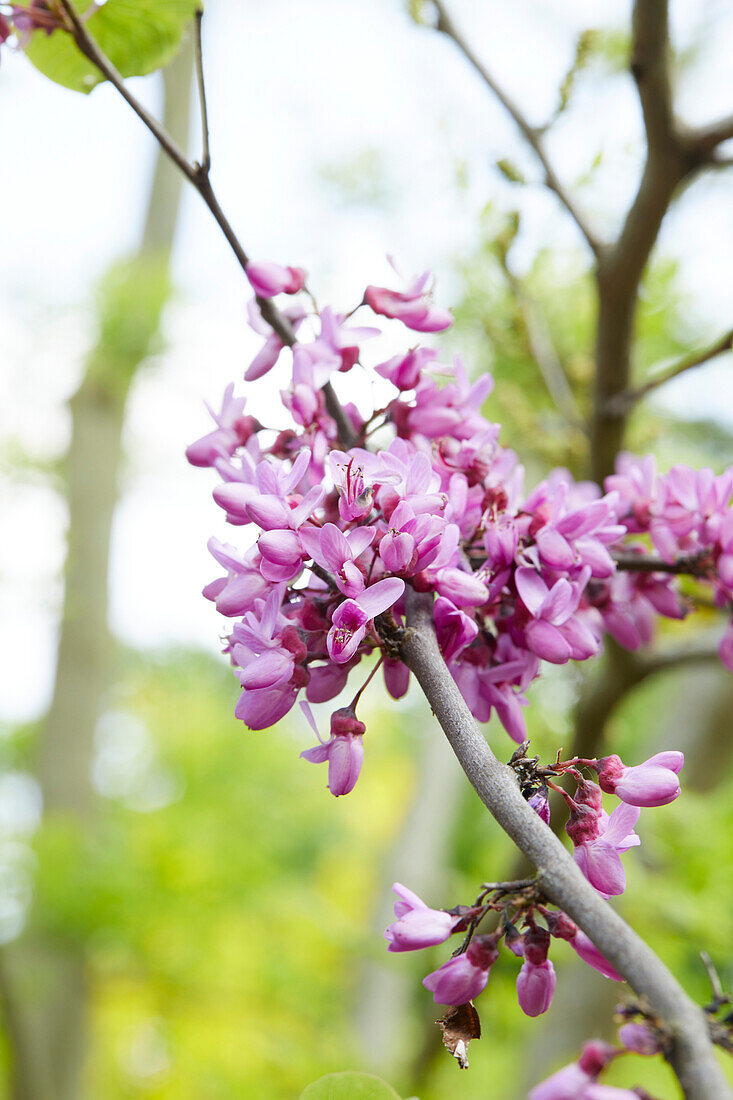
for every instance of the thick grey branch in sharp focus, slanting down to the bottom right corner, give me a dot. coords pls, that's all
(693, 1057)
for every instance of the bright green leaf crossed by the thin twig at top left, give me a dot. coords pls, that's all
(137, 36)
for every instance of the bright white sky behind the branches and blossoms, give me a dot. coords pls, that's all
(293, 90)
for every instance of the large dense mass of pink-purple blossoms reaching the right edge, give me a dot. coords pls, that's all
(344, 525)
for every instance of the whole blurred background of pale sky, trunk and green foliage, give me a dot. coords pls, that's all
(185, 912)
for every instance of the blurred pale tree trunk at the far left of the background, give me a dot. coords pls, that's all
(43, 982)
